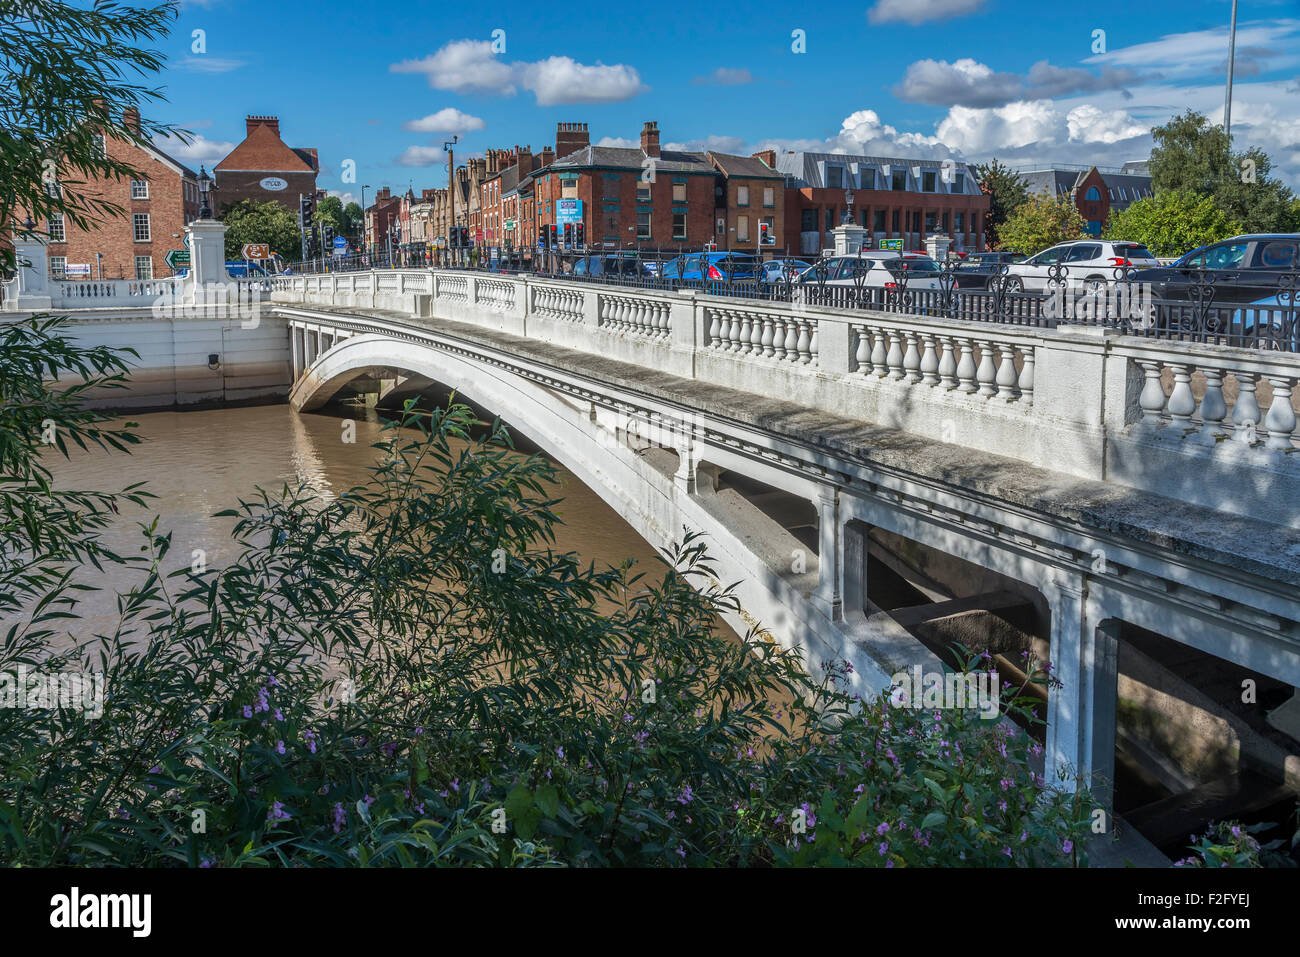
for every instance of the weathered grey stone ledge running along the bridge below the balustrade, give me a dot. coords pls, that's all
(1253, 547)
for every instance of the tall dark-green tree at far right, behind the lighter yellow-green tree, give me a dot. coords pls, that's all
(1190, 155)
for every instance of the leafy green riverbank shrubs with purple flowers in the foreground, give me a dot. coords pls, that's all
(410, 675)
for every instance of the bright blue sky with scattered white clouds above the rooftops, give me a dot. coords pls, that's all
(383, 85)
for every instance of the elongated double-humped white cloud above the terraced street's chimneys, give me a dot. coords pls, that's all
(470, 67)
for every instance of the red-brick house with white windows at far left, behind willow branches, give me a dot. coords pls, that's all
(132, 246)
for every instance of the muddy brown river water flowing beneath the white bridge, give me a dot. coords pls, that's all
(202, 462)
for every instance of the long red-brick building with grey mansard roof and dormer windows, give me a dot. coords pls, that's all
(892, 200)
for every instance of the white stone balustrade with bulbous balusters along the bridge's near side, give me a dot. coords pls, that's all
(1204, 423)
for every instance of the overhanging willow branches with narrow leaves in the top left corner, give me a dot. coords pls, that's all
(67, 76)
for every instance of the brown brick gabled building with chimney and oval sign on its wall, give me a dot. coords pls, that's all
(263, 170)
